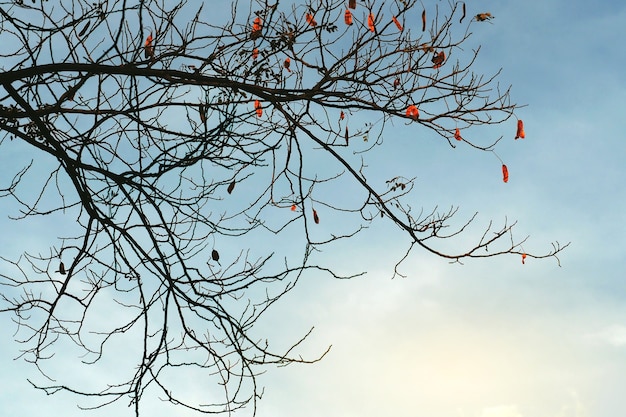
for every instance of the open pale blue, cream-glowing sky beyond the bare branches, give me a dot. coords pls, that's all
(489, 338)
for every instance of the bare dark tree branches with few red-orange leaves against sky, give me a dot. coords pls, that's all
(174, 138)
